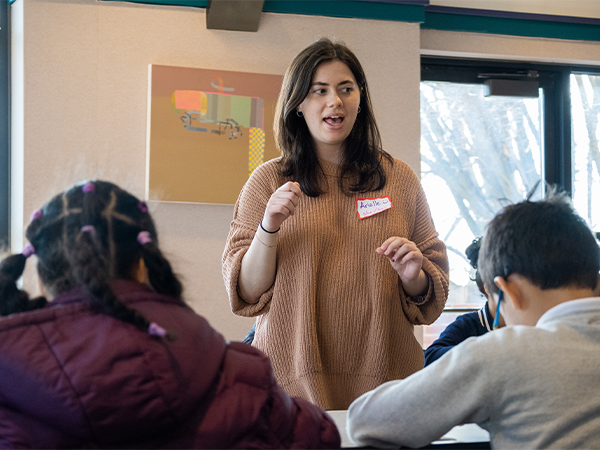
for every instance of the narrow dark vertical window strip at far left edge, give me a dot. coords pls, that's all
(4, 123)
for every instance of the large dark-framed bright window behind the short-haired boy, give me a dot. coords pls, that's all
(481, 150)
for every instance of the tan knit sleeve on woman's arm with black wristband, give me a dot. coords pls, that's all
(247, 214)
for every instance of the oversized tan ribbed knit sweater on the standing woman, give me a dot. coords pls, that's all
(336, 322)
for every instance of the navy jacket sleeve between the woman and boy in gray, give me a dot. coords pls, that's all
(475, 323)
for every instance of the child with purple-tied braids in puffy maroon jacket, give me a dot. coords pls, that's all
(113, 357)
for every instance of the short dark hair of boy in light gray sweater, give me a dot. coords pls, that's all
(545, 241)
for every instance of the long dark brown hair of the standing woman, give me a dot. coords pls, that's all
(363, 152)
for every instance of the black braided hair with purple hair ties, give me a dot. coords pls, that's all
(85, 237)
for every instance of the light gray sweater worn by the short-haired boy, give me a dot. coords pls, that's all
(530, 387)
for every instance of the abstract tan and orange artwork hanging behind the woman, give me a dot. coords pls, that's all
(207, 131)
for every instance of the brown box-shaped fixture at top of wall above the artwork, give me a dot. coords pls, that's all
(236, 15)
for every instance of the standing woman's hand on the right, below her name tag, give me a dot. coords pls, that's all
(406, 259)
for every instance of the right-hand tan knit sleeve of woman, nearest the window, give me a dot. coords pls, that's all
(435, 264)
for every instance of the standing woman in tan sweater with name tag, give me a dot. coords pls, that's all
(332, 245)
